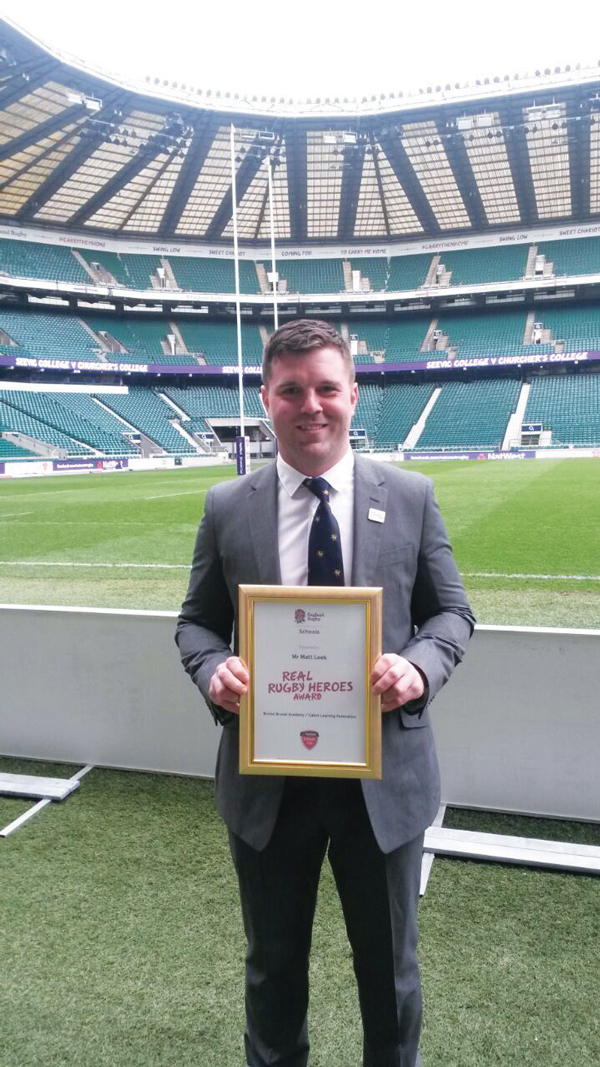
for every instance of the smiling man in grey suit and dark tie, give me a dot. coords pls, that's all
(261, 530)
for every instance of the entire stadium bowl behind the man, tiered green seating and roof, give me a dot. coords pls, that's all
(452, 235)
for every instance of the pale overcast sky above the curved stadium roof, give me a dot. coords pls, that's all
(317, 49)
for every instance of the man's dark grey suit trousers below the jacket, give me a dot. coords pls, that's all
(380, 897)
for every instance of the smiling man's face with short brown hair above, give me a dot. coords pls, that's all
(311, 402)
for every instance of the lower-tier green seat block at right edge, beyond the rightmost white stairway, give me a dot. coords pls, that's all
(570, 406)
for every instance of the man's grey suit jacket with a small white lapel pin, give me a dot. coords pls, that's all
(427, 618)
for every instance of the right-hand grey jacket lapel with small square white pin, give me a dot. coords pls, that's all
(370, 492)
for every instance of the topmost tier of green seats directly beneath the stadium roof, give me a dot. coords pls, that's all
(434, 273)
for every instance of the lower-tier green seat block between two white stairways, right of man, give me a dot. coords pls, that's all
(471, 415)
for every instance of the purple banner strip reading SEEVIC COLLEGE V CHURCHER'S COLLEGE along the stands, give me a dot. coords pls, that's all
(362, 369)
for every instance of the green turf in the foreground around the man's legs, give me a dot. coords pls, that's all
(123, 946)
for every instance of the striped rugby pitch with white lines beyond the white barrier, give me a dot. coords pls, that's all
(522, 518)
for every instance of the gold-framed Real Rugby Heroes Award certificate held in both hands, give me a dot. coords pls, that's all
(310, 710)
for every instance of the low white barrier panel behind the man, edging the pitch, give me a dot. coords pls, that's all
(518, 728)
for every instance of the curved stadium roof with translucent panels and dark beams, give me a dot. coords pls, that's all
(91, 155)
